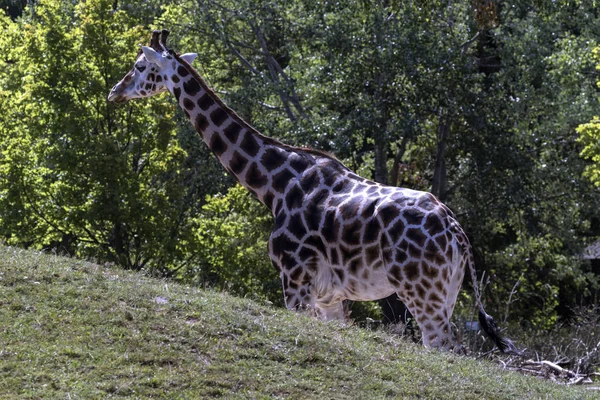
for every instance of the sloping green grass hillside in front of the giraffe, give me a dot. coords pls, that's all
(71, 329)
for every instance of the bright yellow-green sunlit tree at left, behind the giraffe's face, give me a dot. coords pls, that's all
(80, 175)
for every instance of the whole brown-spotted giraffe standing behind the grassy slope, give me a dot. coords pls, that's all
(336, 235)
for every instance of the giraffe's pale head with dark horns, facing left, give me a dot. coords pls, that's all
(152, 72)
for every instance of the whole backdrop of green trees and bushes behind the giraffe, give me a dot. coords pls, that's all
(480, 106)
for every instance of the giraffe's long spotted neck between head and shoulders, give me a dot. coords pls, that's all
(261, 164)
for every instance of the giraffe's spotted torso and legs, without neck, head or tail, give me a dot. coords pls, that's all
(358, 240)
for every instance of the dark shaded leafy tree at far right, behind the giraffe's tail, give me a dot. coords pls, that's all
(526, 208)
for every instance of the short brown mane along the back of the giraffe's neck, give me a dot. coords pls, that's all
(242, 122)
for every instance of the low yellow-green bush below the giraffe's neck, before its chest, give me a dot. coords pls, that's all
(232, 232)
